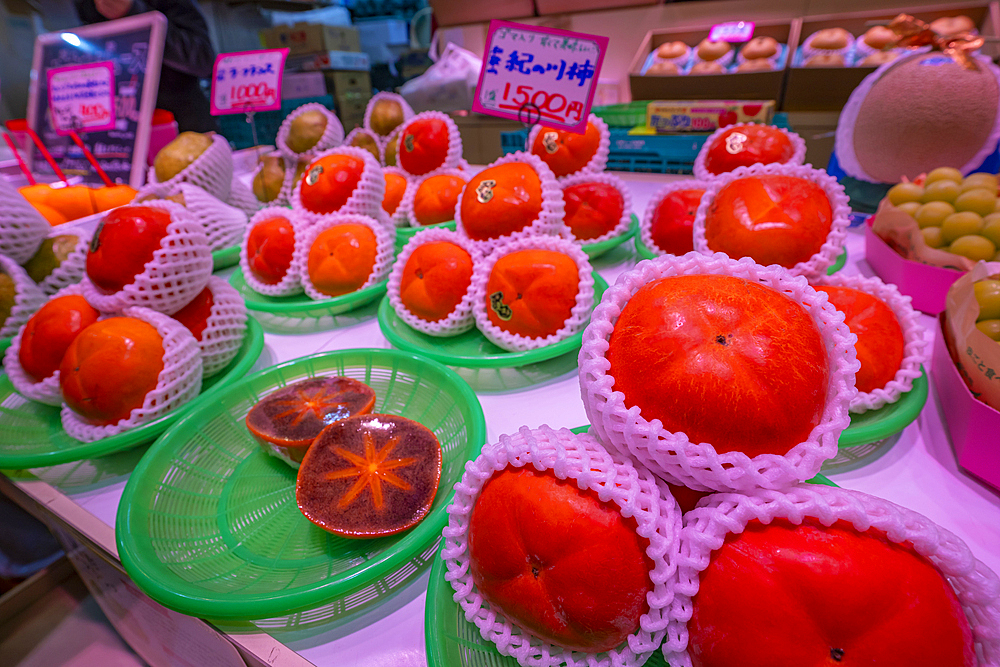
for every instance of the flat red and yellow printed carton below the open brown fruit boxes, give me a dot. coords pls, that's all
(705, 115)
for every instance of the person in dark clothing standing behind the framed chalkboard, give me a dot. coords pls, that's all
(187, 55)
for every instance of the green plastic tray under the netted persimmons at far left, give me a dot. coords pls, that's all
(33, 435)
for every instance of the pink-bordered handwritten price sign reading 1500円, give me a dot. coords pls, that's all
(533, 74)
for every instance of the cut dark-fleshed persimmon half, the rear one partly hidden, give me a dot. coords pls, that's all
(290, 418)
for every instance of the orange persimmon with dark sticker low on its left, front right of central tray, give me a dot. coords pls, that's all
(532, 293)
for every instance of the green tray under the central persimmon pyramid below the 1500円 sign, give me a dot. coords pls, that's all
(471, 349)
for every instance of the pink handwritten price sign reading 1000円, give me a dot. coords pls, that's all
(247, 81)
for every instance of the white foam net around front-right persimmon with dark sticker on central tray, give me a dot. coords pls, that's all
(579, 315)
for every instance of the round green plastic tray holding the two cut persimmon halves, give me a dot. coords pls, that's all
(208, 524)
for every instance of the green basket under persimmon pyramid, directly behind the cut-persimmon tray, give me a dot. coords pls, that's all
(298, 313)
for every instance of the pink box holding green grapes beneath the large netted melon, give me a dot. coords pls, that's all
(927, 285)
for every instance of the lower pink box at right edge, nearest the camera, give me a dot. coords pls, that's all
(972, 425)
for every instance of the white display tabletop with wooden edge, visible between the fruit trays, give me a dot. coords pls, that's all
(918, 470)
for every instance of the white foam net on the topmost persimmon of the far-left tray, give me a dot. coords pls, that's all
(178, 271)
